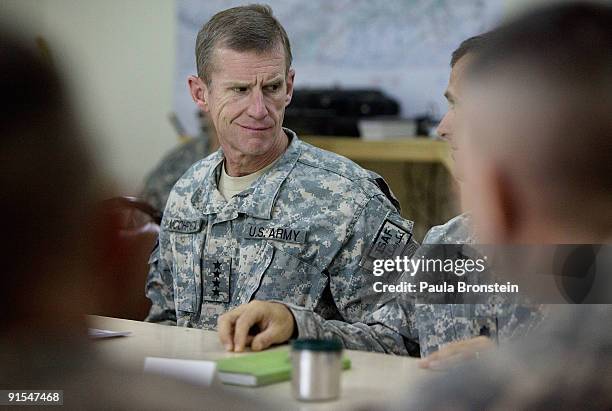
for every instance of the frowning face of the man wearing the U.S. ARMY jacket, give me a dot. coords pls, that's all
(246, 99)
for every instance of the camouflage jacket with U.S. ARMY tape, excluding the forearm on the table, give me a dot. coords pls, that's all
(305, 233)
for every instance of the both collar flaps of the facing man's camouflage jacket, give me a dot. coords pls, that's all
(258, 200)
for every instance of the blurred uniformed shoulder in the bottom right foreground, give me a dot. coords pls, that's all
(564, 365)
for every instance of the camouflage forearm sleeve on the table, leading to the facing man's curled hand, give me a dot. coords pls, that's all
(389, 329)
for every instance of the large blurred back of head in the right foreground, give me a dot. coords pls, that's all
(543, 82)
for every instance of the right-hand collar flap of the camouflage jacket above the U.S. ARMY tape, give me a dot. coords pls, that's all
(259, 200)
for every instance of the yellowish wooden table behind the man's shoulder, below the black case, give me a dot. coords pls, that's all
(418, 169)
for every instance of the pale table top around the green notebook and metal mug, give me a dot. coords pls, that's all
(373, 377)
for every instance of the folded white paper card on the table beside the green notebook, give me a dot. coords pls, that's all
(192, 371)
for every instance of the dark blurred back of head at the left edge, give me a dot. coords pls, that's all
(45, 180)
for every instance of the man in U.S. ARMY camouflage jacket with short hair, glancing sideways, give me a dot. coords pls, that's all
(267, 217)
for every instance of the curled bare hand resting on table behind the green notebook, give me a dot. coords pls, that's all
(274, 320)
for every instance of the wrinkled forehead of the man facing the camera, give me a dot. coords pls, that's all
(248, 66)
